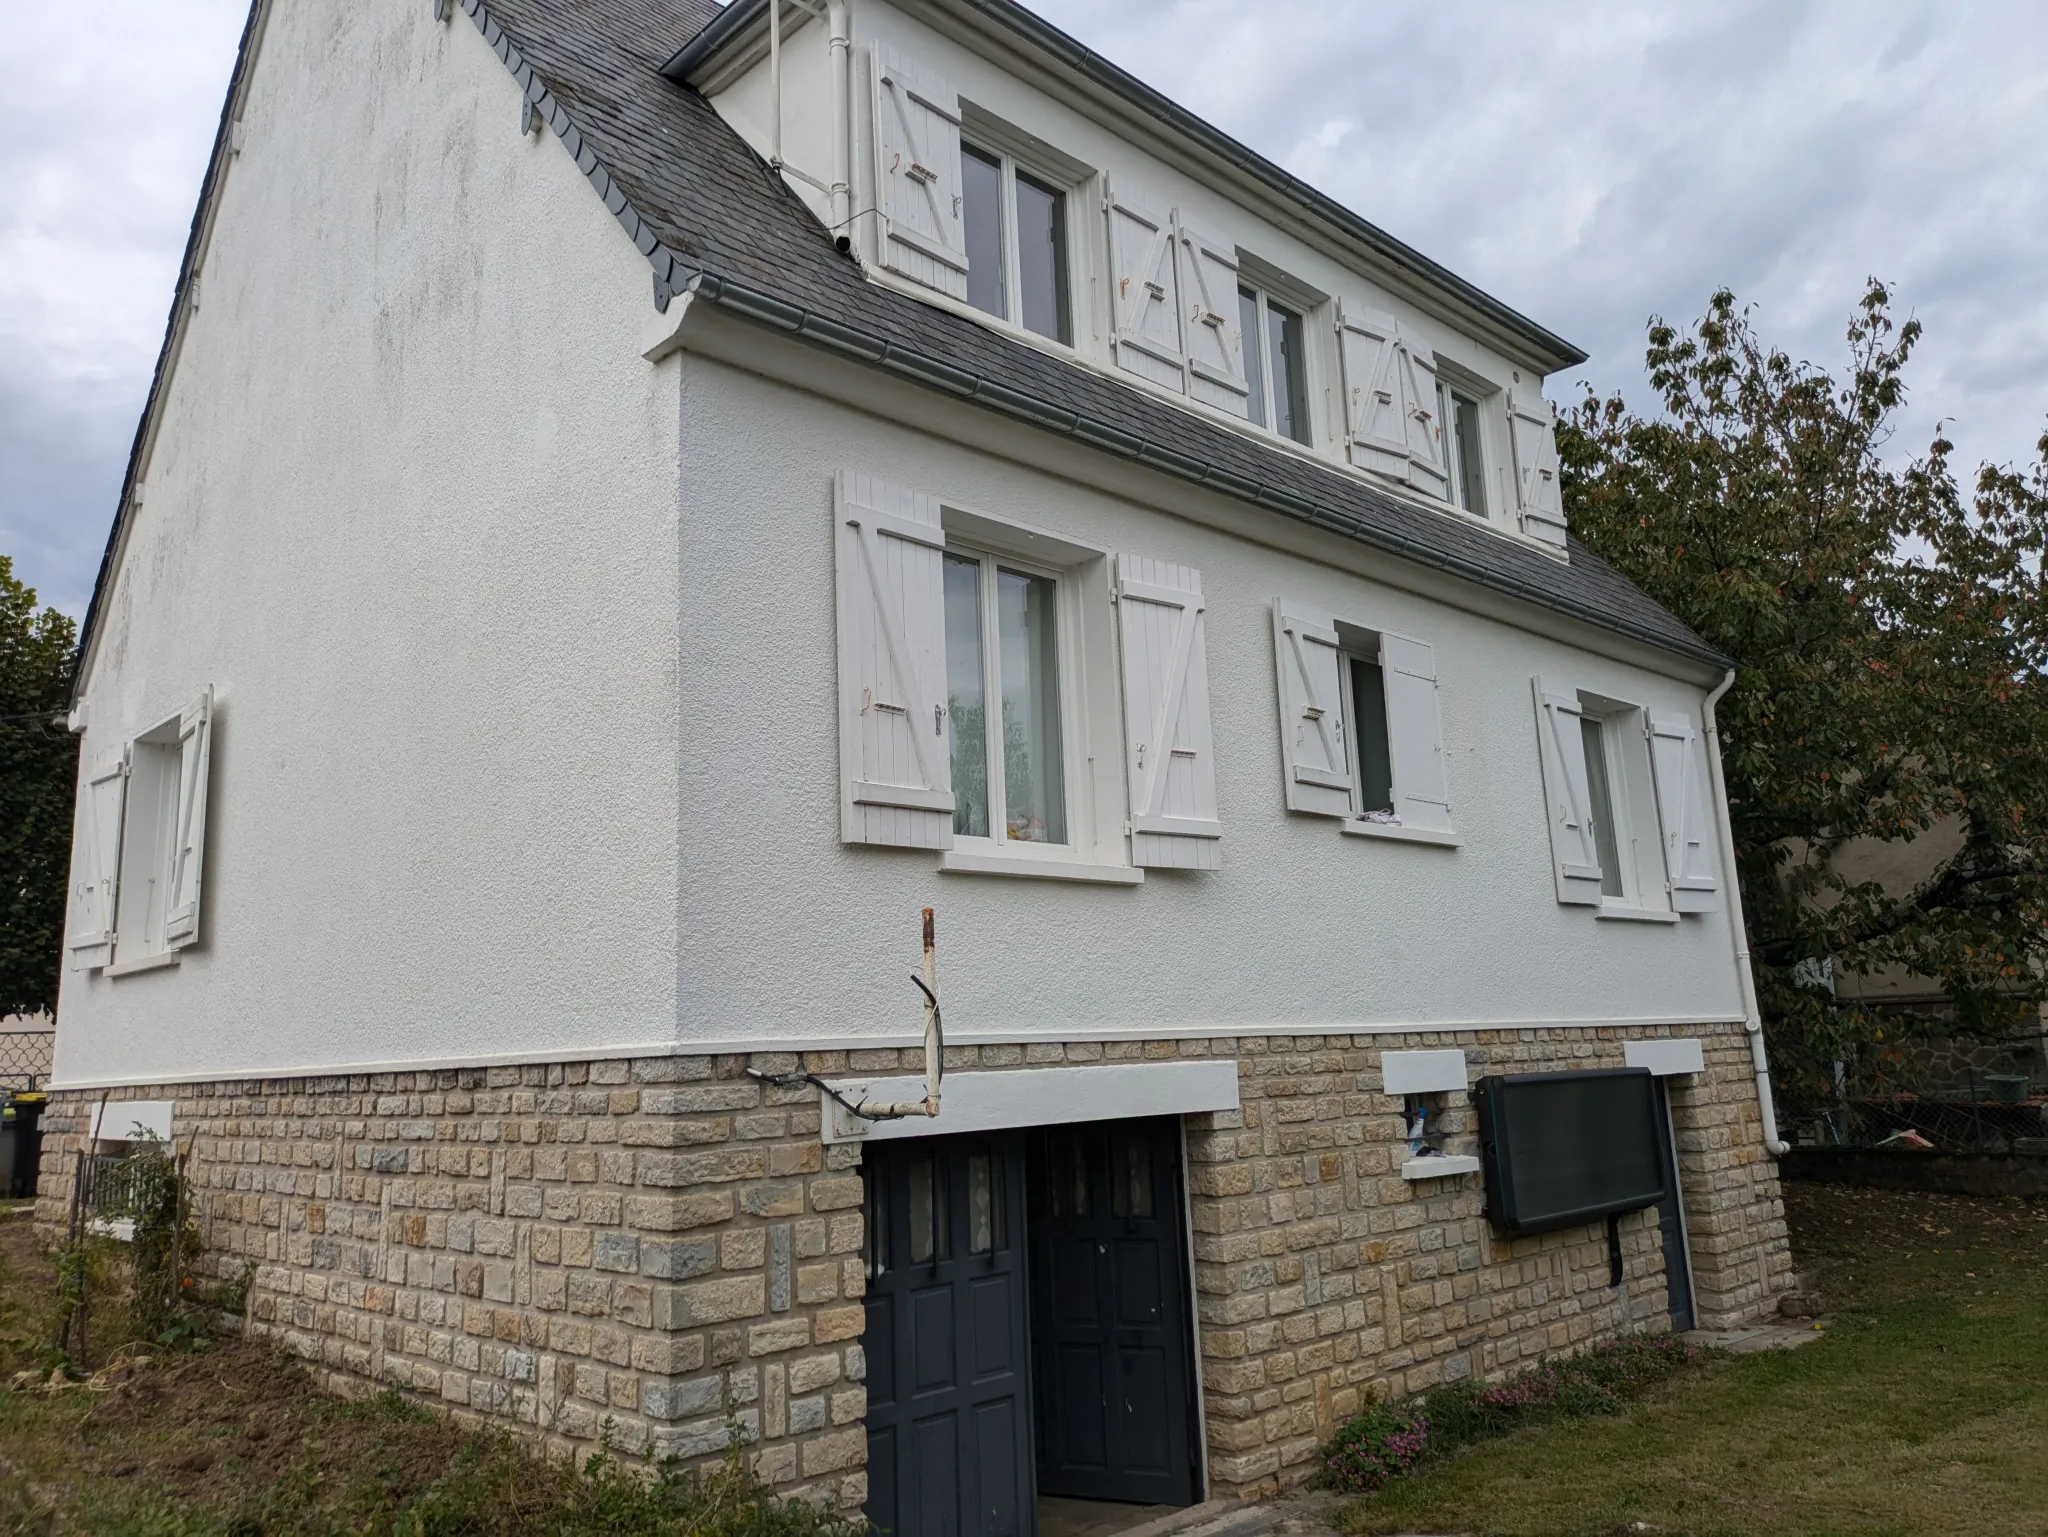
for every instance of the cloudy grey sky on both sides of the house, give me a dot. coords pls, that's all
(1590, 163)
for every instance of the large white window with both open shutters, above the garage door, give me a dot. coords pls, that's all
(1017, 702)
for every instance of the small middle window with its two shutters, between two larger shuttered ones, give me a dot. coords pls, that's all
(1361, 729)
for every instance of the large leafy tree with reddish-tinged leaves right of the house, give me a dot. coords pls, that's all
(1891, 642)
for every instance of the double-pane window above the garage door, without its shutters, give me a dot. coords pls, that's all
(1005, 702)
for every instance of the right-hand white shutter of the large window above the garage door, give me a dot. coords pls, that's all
(1168, 759)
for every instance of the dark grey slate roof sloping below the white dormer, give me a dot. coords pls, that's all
(714, 220)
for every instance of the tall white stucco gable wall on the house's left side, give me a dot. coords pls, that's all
(413, 513)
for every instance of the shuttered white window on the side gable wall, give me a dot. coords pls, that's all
(140, 849)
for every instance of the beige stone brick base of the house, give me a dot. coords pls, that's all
(667, 1247)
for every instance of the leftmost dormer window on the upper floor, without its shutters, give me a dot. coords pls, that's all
(1017, 245)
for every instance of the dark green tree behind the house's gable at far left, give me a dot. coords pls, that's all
(38, 784)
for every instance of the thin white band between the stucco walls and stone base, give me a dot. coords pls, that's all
(894, 1042)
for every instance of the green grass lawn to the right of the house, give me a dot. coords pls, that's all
(1922, 1411)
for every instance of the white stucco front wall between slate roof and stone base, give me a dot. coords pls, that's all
(787, 933)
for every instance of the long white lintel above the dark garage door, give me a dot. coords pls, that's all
(1002, 1099)
